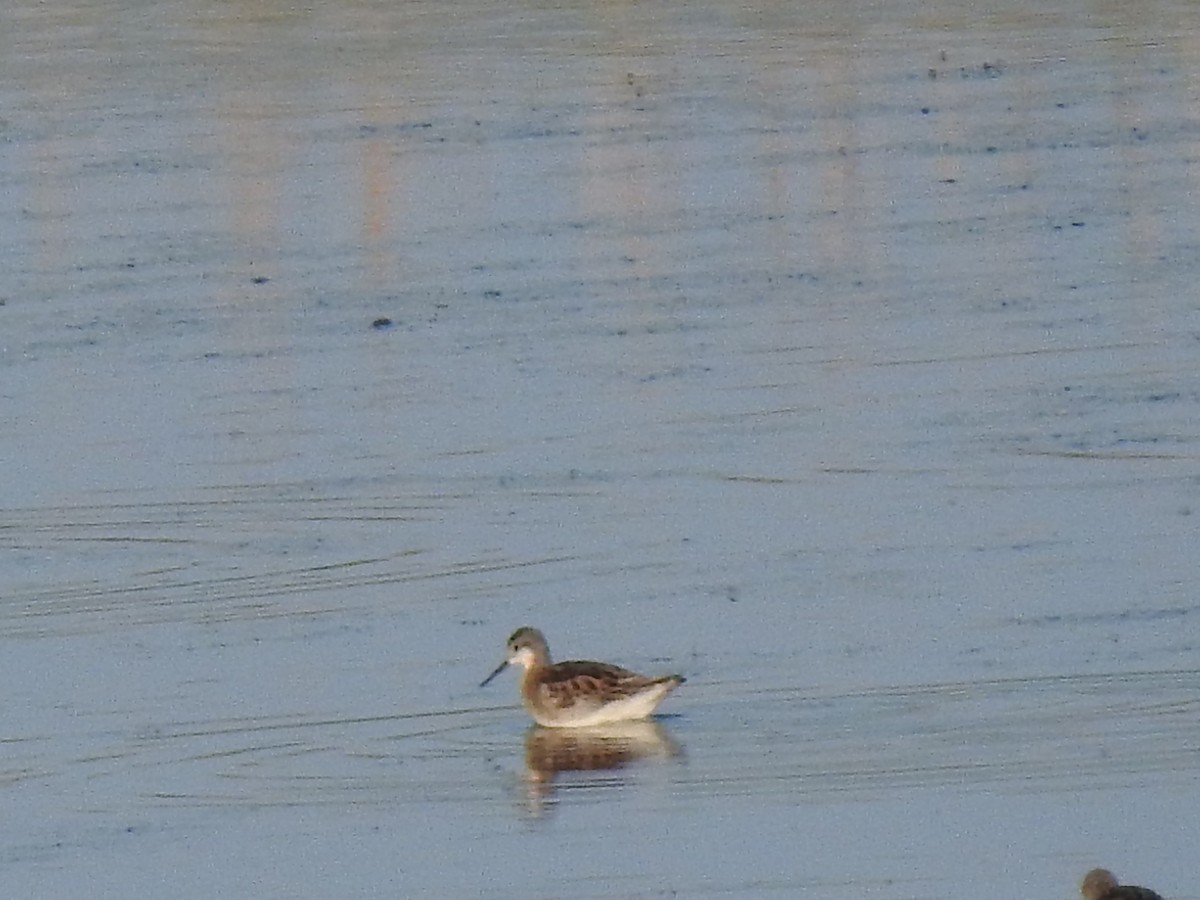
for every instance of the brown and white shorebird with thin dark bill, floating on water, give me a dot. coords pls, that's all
(580, 694)
